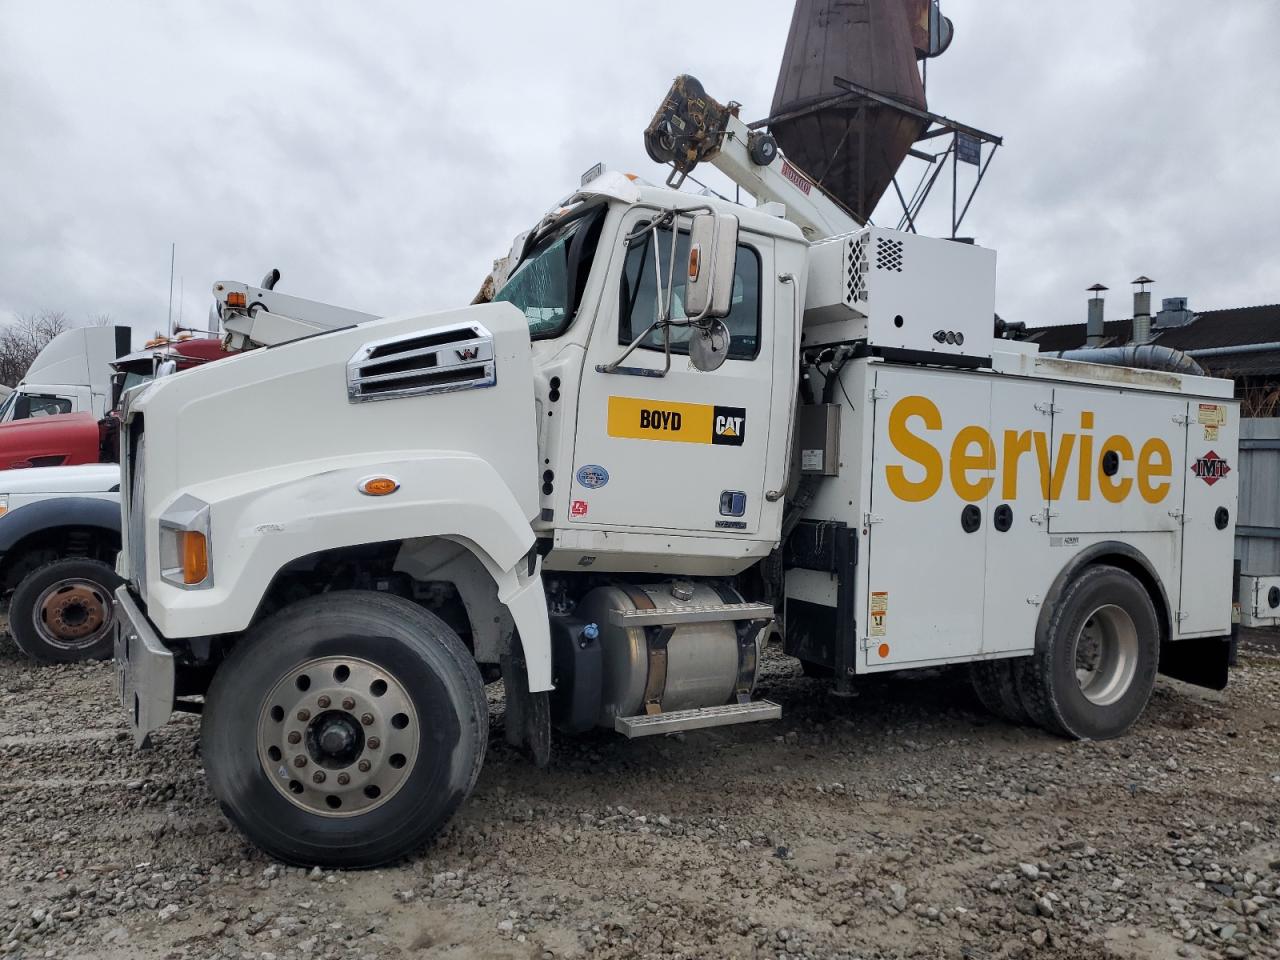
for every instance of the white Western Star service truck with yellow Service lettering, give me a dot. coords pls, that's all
(683, 428)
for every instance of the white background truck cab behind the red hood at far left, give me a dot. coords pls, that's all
(71, 376)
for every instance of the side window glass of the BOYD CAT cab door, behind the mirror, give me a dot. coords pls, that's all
(639, 296)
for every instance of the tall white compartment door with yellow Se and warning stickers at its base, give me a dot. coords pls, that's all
(926, 568)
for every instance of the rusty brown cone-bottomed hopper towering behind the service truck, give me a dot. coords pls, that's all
(871, 43)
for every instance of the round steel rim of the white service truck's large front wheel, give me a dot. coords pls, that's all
(339, 737)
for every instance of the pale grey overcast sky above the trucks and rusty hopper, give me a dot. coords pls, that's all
(382, 156)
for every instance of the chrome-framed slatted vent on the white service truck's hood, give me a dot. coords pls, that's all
(433, 362)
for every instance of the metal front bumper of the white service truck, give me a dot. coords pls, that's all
(144, 670)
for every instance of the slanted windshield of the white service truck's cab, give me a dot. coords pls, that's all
(547, 287)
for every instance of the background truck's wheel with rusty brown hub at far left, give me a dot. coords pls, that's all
(65, 611)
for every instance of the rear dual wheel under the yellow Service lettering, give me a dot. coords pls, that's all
(1095, 671)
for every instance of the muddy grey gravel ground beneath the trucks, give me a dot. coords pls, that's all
(902, 824)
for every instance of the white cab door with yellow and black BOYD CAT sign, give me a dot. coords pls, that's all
(683, 451)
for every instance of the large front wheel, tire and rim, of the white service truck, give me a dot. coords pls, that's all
(346, 730)
